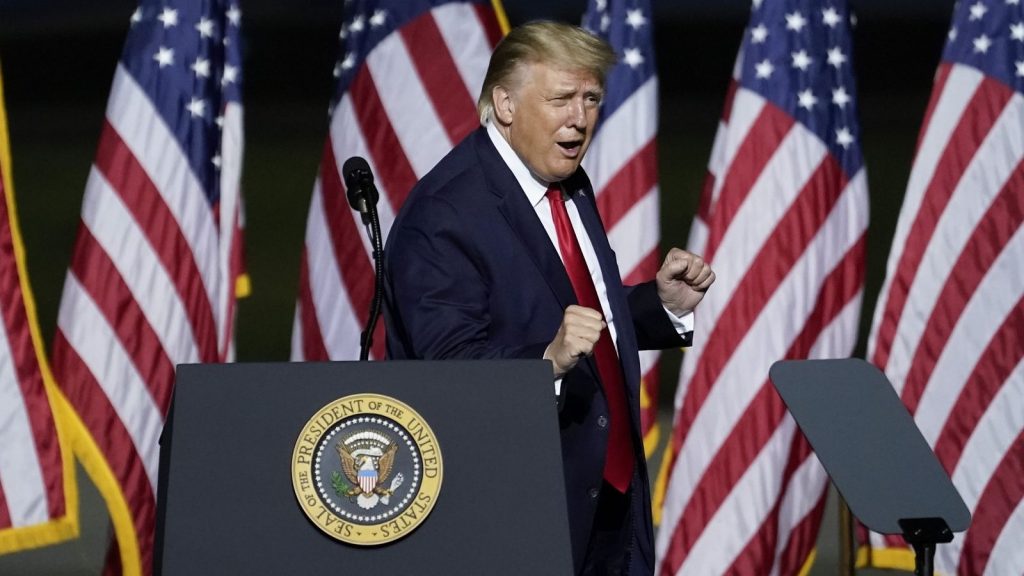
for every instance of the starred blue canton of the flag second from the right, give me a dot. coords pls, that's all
(798, 55)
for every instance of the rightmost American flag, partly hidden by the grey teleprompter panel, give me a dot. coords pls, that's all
(950, 321)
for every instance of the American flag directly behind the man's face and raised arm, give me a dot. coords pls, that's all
(623, 166)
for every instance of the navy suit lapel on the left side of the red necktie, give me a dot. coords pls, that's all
(522, 217)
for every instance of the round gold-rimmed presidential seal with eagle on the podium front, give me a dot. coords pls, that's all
(367, 470)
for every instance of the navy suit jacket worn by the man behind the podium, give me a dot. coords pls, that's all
(472, 274)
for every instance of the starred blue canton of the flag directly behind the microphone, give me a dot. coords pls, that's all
(367, 23)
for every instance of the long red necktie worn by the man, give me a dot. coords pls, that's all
(619, 459)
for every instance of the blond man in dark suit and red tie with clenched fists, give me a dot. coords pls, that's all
(500, 253)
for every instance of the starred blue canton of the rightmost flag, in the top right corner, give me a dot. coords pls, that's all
(990, 36)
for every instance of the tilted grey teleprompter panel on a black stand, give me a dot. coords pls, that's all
(874, 452)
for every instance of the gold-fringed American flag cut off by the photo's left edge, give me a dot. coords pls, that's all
(37, 482)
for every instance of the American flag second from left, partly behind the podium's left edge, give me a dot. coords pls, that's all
(157, 264)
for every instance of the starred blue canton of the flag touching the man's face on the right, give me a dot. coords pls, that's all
(627, 26)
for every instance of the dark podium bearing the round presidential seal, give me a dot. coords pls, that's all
(240, 468)
